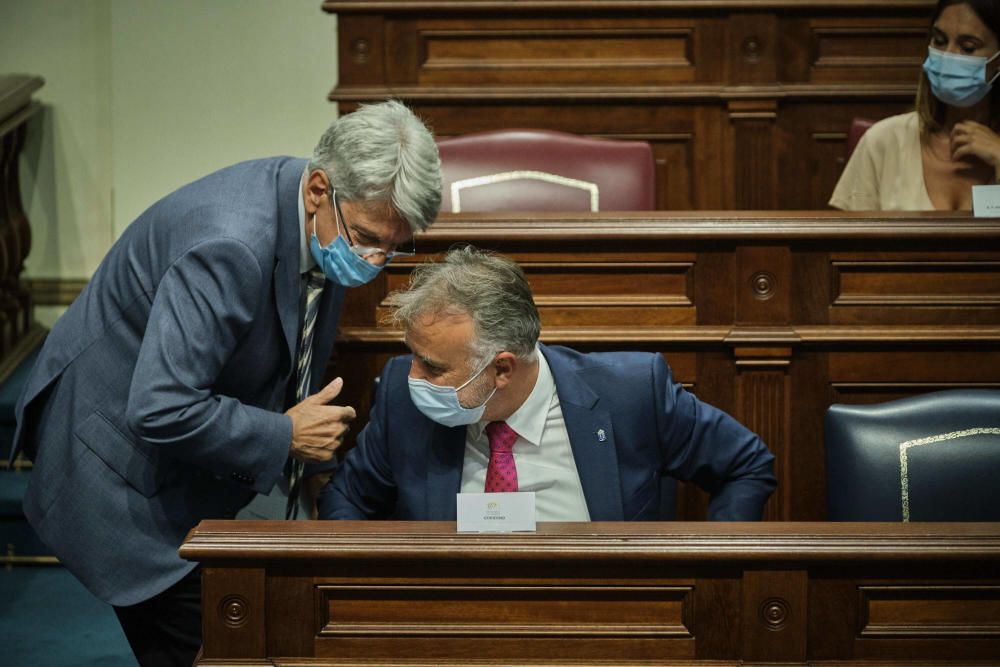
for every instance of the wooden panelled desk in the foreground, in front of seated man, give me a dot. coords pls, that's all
(378, 593)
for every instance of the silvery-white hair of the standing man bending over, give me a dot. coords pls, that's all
(383, 153)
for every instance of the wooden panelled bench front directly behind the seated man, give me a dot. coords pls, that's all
(772, 317)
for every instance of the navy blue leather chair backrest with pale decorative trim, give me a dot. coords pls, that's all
(932, 457)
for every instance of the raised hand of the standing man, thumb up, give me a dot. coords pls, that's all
(318, 428)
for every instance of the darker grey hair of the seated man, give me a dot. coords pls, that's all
(488, 287)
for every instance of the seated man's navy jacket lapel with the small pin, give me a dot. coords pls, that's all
(592, 438)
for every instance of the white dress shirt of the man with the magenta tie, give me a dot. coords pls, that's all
(542, 454)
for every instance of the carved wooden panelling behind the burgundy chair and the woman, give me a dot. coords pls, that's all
(746, 104)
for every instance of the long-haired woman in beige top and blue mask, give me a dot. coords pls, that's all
(929, 159)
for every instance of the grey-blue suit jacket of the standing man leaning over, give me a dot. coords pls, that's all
(156, 400)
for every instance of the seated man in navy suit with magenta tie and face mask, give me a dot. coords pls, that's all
(591, 433)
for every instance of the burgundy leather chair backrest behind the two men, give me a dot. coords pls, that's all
(545, 170)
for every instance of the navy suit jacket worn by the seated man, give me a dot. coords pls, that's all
(407, 467)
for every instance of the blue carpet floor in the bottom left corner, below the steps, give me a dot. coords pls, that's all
(48, 619)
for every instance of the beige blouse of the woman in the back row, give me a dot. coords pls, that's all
(886, 170)
